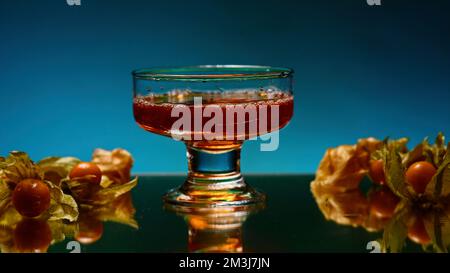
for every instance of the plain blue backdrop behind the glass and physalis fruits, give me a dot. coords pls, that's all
(65, 83)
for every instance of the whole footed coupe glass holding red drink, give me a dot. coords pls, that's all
(213, 109)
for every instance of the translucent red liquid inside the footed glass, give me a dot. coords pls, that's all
(153, 113)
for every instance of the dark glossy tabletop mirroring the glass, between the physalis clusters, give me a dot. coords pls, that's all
(290, 222)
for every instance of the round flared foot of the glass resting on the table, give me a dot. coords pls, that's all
(210, 194)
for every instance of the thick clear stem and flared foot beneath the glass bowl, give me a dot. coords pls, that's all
(214, 178)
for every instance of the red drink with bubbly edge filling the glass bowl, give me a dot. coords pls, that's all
(235, 116)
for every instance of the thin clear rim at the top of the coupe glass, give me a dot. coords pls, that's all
(212, 73)
